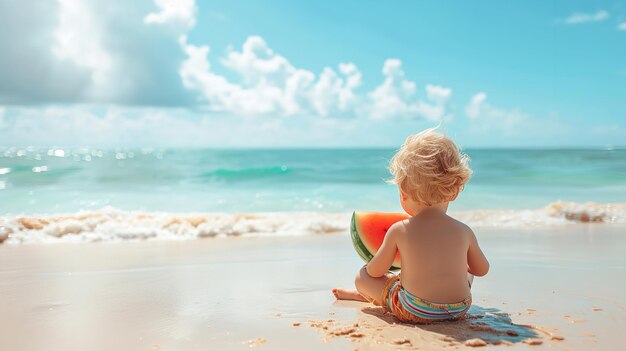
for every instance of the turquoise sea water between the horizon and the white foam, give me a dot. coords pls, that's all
(50, 180)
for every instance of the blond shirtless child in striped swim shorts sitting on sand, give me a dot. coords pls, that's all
(439, 254)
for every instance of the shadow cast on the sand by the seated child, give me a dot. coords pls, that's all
(489, 324)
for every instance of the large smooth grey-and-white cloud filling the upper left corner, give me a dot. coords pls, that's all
(89, 51)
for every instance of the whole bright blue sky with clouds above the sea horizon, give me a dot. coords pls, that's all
(233, 74)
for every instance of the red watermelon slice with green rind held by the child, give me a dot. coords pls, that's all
(368, 230)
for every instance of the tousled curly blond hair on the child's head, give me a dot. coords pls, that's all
(430, 168)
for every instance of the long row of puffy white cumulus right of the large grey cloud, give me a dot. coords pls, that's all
(271, 85)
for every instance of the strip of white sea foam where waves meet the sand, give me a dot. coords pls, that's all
(111, 224)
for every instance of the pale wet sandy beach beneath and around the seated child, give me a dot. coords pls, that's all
(546, 284)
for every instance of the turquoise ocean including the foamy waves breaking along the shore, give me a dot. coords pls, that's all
(129, 185)
